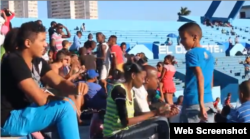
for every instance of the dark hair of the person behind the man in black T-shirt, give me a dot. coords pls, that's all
(10, 42)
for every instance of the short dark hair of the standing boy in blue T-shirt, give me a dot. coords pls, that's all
(192, 28)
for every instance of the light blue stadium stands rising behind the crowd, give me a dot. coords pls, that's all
(150, 36)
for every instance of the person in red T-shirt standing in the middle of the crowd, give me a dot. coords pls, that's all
(117, 52)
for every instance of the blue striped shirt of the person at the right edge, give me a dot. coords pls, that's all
(241, 114)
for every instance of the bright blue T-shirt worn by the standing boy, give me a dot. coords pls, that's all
(198, 57)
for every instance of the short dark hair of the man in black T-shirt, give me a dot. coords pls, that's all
(28, 30)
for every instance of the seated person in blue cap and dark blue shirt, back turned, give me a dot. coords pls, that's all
(96, 96)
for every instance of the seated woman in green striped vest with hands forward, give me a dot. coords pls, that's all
(120, 107)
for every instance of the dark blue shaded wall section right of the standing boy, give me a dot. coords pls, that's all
(227, 83)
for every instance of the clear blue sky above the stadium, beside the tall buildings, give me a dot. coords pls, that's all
(150, 10)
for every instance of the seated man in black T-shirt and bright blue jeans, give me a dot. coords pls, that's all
(24, 86)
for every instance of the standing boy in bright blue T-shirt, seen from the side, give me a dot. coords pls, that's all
(198, 100)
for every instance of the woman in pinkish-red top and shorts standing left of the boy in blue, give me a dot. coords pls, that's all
(168, 88)
